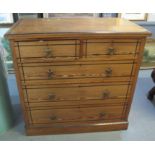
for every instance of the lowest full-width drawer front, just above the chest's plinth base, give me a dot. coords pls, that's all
(76, 114)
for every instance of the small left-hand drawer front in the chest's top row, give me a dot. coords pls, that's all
(48, 50)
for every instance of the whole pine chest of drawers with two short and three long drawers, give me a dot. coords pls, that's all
(76, 75)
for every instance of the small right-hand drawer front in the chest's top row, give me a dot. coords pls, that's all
(114, 49)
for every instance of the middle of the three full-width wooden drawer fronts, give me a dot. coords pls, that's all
(70, 92)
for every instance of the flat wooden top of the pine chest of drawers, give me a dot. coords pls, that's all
(71, 26)
